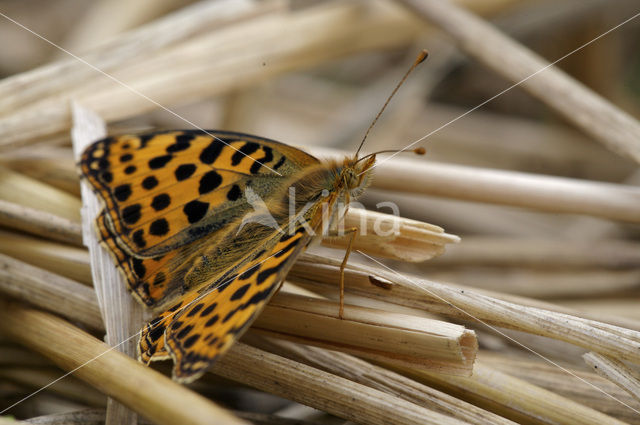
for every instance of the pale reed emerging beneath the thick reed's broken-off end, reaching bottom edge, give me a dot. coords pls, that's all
(513, 398)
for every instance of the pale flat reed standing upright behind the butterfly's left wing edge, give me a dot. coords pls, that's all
(122, 315)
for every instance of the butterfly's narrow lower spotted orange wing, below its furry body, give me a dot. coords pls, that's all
(201, 327)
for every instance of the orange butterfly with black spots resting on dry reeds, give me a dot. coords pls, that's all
(204, 226)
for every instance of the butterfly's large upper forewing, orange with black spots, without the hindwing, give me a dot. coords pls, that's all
(164, 190)
